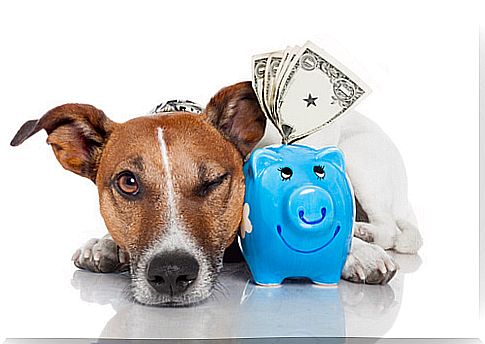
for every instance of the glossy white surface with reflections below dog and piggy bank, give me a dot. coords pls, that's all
(238, 308)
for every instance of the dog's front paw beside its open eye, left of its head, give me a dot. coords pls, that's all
(101, 255)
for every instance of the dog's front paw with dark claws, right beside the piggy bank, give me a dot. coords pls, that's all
(368, 263)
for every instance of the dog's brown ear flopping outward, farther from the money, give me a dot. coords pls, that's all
(77, 135)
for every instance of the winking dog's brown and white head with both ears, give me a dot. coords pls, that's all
(171, 186)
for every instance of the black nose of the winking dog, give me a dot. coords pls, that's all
(172, 273)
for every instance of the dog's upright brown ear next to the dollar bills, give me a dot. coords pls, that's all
(236, 113)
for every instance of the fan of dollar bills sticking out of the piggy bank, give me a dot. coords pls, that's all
(303, 89)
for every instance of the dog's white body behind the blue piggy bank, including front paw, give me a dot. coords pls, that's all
(378, 176)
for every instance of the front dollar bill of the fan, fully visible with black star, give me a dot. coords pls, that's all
(315, 90)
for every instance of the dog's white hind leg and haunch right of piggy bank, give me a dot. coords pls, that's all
(378, 176)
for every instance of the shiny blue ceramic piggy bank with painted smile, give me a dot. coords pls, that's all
(298, 214)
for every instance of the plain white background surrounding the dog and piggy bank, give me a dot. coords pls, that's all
(419, 57)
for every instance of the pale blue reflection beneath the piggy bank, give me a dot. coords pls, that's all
(263, 312)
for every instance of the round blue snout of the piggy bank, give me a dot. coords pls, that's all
(310, 207)
